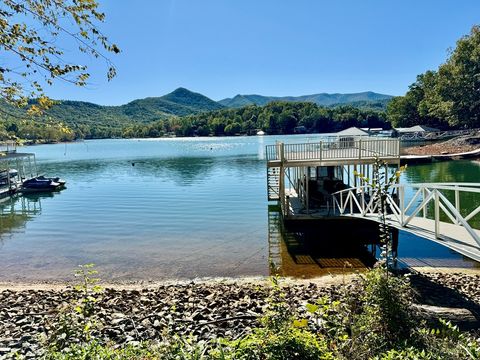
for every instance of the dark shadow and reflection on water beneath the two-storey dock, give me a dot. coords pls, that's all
(314, 248)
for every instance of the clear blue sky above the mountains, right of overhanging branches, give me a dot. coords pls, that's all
(272, 47)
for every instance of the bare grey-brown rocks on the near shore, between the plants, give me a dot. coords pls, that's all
(204, 309)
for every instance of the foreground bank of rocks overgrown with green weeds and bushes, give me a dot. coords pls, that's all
(373, 317)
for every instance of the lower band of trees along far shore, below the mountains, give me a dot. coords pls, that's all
(273, 118)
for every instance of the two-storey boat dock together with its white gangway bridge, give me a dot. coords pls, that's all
(318, 181)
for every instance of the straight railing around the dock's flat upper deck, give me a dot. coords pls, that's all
(335, 148)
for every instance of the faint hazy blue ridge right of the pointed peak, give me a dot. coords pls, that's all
(322, 99)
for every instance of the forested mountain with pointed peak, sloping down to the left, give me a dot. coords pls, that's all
(77, 119)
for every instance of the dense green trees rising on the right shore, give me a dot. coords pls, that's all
(448, 97)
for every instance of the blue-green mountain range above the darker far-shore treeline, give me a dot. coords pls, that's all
(183, 102)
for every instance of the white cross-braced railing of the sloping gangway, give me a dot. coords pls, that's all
(360, 201)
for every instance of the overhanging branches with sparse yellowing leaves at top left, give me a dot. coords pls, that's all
(30, 34)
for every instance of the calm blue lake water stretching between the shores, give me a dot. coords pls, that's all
(171, 208)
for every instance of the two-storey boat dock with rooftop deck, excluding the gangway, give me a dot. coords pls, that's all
(302, 177)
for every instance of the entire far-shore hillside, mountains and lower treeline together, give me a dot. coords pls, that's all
(186, 113)
